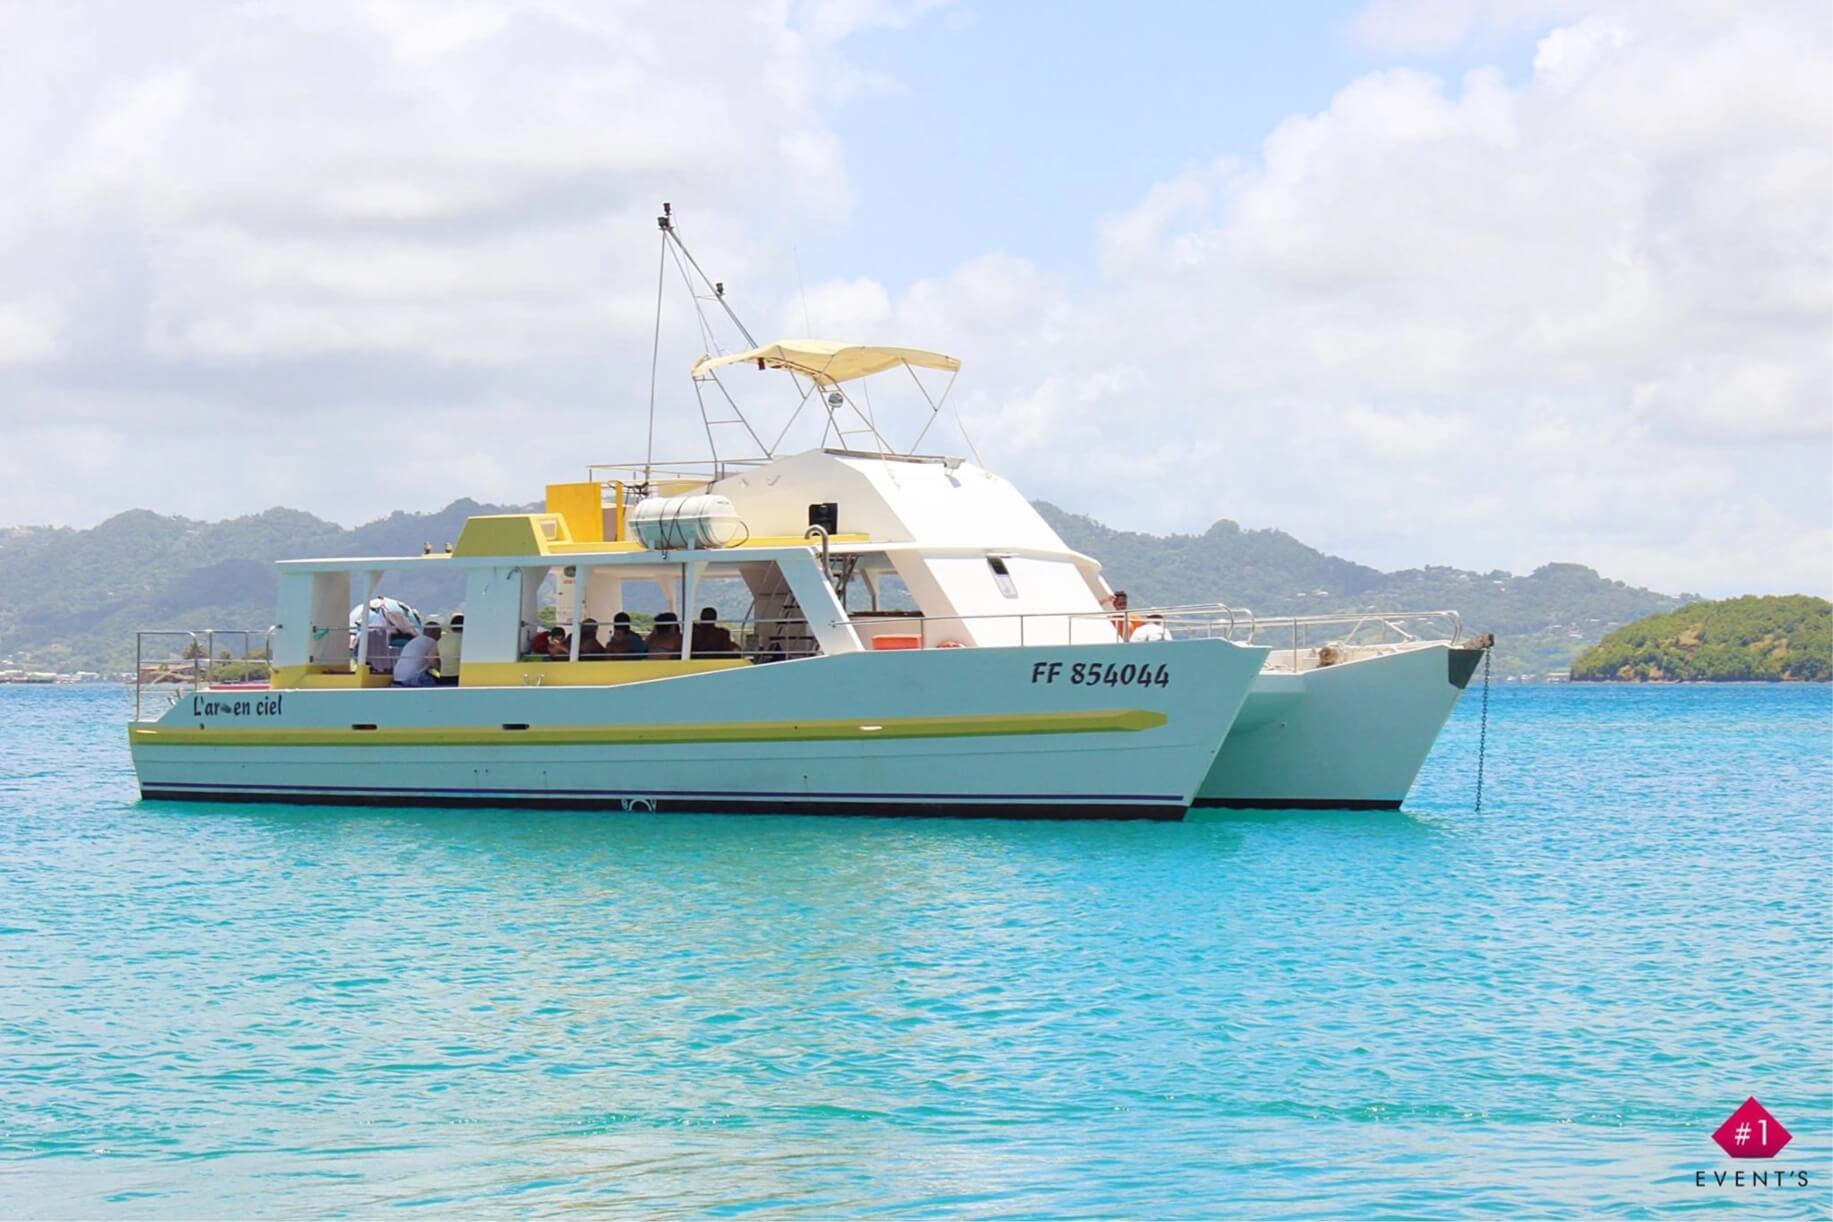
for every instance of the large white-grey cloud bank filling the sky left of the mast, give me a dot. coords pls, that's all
(327, 219)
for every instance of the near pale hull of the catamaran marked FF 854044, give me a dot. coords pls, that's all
(971, 732)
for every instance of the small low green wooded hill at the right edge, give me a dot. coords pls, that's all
(1750, 638)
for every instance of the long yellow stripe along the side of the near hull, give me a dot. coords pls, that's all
(846, 730)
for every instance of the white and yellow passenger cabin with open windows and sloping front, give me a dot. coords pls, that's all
(927, 552)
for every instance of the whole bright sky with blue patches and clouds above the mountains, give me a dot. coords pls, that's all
(1478, 283)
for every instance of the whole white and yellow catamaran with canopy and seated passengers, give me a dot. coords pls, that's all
(903, 635)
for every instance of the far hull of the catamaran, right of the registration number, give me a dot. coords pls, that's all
(1346, 737)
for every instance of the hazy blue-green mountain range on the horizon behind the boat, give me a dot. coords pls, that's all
(74, 598)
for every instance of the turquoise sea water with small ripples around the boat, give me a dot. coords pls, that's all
(1546, 1007)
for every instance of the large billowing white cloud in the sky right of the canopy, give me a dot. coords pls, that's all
(1575, 318)
